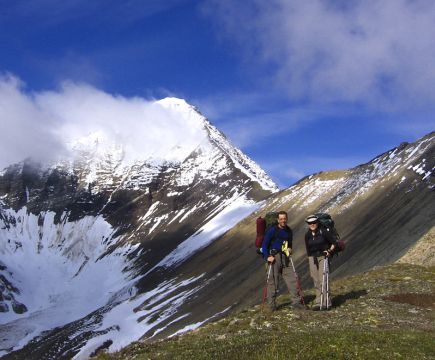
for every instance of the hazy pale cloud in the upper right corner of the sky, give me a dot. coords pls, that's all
(379, 53)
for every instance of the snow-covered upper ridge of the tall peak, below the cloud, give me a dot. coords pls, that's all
(107, 164)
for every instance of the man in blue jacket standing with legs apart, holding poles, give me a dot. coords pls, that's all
(277, 249)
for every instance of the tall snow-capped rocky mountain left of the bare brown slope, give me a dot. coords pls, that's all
(87, 239)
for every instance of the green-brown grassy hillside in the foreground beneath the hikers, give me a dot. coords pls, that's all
(386, 313)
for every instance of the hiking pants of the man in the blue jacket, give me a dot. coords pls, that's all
(281, 268)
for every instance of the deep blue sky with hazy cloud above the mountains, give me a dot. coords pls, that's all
(299, 86)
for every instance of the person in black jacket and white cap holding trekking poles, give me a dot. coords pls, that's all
(320, 246)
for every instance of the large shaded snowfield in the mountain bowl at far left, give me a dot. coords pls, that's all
(58, 271)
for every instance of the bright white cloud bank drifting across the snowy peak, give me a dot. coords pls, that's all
(41, 125)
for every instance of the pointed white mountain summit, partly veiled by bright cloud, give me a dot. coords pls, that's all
(169, 131)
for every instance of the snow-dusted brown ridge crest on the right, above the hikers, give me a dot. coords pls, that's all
(340, 190)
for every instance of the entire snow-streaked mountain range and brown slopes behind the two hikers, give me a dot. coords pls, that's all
(107, 246)
